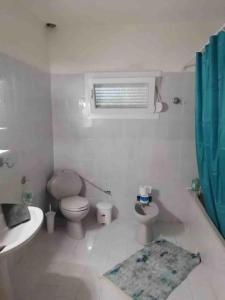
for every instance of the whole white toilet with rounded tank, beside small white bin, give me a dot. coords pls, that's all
(65, 186)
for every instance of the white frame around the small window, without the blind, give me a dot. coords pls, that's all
(120, 77)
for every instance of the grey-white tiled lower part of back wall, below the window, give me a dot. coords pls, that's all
(119, 155)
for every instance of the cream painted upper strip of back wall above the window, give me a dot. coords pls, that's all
(133, 47)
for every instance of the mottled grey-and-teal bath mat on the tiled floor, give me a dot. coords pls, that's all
(153, 272)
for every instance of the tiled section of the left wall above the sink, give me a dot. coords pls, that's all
(25, 113)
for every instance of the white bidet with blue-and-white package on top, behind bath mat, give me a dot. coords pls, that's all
(146, 215)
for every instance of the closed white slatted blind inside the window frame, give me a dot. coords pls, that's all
(121, 95)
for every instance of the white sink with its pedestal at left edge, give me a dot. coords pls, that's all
(13, 239)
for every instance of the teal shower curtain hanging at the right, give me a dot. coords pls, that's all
(210, 127)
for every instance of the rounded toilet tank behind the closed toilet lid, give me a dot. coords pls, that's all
(64, 183)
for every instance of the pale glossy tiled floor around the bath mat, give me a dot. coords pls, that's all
(57, 267)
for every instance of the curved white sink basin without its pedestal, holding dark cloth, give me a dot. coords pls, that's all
(14, 238)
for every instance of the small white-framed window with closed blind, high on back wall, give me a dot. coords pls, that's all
(121, 95)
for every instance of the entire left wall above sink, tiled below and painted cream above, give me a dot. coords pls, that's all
(25, 102)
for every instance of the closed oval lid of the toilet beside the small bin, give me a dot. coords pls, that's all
(76, 203)
